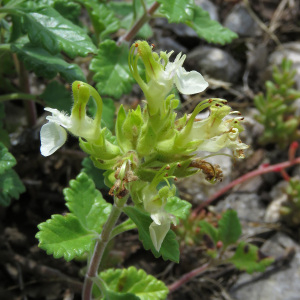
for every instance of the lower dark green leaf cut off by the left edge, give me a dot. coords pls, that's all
(10, 186)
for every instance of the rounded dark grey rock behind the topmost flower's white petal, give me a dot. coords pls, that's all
(214, 62)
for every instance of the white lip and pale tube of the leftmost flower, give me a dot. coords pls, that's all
(53, 134)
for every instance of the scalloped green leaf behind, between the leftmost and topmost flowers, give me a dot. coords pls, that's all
(111, 69)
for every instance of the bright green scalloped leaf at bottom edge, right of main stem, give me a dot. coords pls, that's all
(133, 281)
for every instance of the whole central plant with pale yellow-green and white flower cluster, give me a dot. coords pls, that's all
(151, 146)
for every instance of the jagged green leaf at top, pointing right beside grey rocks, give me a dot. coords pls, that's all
(210, 30)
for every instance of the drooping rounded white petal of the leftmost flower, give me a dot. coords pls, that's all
(52, 138)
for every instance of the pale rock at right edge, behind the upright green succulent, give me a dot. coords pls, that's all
(292, 52)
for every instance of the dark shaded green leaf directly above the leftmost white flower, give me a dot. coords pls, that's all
(57, 96)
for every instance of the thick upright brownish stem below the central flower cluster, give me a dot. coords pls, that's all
(100, 246)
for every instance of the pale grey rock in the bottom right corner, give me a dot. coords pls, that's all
(277, 284)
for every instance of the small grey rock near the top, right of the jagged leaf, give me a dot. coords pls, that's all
(240, 21)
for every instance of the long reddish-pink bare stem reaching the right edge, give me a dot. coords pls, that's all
(261, 170)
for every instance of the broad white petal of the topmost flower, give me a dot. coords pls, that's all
(189, 82)
